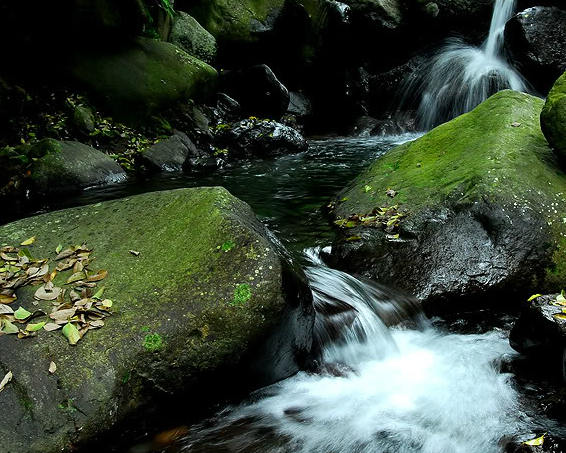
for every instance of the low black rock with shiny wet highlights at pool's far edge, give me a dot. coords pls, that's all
(253, 137)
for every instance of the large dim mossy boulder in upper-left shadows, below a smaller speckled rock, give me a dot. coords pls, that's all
(141, 77)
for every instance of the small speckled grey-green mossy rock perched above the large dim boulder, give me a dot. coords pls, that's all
(190, 36)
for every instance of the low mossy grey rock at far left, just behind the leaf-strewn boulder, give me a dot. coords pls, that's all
(67, 166)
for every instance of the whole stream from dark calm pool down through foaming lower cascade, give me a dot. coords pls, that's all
(390, 380)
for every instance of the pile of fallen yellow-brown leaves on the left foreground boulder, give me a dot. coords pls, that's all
(83, 309)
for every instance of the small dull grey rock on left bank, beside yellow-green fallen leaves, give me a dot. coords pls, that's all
(167, 155)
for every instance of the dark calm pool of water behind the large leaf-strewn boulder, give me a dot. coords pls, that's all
(285, 192)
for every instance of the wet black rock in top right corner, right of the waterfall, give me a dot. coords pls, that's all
(536, 37)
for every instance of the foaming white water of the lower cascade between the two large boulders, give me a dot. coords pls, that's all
(382, 390)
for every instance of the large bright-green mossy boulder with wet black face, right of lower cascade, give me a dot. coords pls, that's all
(471, 214)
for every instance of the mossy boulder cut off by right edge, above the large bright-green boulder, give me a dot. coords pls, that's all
(553, 117)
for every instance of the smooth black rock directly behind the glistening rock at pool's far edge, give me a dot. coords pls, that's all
(258, 91)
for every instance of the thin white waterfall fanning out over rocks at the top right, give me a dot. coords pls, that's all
(462, 76)
